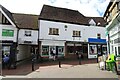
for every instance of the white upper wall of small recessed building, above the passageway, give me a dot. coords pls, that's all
(33, 37)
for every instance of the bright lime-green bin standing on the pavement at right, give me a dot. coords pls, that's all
(110, 62)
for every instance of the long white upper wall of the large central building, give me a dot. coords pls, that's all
(86, 31)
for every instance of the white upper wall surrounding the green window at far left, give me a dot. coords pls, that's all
(10, 27)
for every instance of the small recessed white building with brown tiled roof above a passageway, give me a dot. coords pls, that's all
(27, 35)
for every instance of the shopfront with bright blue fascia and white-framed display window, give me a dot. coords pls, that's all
(96, 47)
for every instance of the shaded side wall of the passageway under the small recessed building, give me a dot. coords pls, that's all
(23, 52)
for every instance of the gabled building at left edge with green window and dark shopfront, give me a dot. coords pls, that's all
(8, 32)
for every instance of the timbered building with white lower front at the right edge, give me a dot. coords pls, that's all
(112, 16)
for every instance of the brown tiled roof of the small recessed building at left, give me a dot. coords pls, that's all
(26, 21)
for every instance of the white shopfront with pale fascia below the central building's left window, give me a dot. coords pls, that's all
(48, 45)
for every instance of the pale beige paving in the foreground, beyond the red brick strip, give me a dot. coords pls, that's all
(69, 71)
